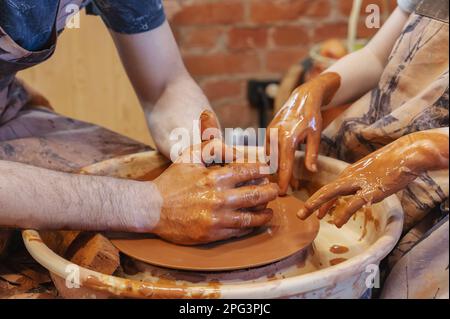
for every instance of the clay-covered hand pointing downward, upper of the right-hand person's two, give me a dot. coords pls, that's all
(300, 119)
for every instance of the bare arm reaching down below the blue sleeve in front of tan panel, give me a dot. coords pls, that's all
(168, 94)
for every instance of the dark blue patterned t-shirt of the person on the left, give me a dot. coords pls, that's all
(30, 23)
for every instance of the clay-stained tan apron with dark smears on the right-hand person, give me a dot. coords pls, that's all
(412, 95)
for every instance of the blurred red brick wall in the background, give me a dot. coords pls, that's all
(226, 42)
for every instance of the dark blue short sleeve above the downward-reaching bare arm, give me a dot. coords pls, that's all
(131, 16)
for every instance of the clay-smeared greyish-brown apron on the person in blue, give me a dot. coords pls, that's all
(37, 136)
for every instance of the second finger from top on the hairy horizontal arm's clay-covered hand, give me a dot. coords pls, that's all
(250, 196)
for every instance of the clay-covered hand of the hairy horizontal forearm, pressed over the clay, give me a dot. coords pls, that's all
(205, 204)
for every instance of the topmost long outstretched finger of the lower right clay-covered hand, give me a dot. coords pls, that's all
(340, 187)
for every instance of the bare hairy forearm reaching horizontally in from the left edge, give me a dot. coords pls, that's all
(32, 197)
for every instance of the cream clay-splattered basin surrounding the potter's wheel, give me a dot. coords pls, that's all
(339, 264)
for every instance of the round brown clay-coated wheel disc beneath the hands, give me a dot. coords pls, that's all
(284, 236)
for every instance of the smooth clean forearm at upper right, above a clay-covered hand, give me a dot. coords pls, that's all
(361, 71)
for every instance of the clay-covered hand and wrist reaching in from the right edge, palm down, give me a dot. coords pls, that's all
(380, 175)
